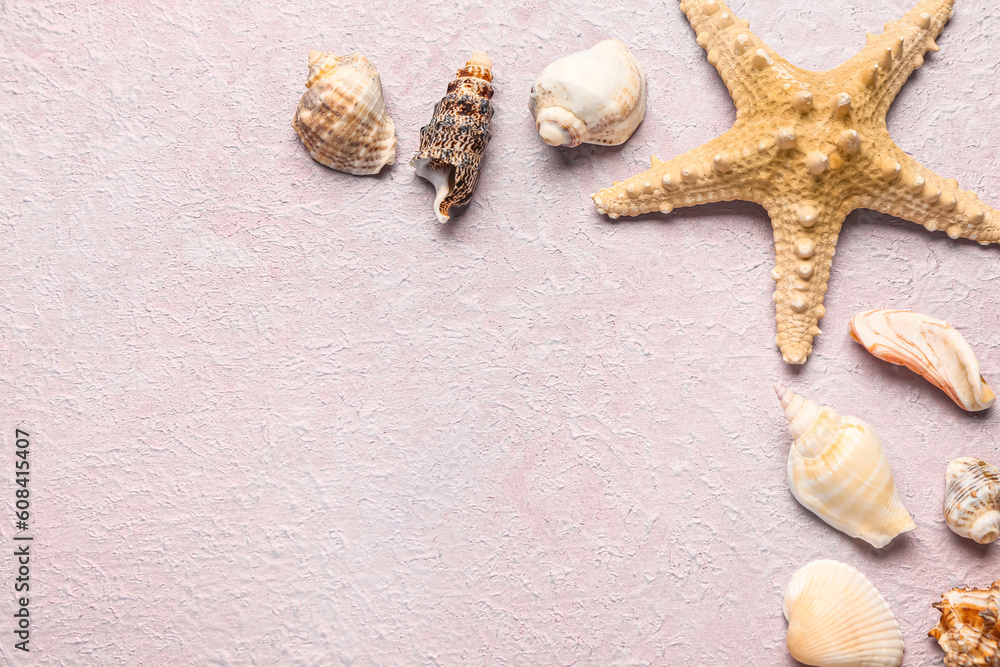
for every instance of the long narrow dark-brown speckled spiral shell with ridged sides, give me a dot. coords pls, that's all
(452, 145)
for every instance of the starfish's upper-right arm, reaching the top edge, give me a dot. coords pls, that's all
(889, 59)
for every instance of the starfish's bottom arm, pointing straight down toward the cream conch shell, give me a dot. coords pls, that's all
(805, 241)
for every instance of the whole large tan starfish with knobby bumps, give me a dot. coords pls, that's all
(810, 147)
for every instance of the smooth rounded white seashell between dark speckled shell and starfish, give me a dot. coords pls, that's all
(597, 96)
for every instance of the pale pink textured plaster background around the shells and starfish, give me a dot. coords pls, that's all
(280, 416)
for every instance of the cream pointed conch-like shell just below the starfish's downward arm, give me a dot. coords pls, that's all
(838, 470)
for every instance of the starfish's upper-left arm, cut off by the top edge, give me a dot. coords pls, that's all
(744, 62)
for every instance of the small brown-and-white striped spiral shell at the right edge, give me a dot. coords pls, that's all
(972, 501)
